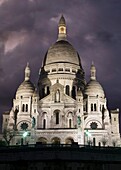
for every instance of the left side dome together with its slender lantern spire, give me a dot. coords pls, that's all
(26, 88)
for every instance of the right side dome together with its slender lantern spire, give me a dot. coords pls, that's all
(93, 87)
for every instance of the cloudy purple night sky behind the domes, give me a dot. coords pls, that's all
(29, 27)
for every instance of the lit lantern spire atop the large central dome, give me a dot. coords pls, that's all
(62, 29)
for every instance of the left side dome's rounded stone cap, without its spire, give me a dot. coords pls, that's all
(26, 88)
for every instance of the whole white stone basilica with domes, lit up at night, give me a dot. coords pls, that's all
(63, 108)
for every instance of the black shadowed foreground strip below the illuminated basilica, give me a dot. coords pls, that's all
(61, 157)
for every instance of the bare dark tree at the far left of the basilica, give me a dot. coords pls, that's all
(8, 135)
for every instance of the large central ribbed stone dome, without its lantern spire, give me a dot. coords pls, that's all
(62, 52)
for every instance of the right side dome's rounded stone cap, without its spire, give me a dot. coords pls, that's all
(93, 88)
